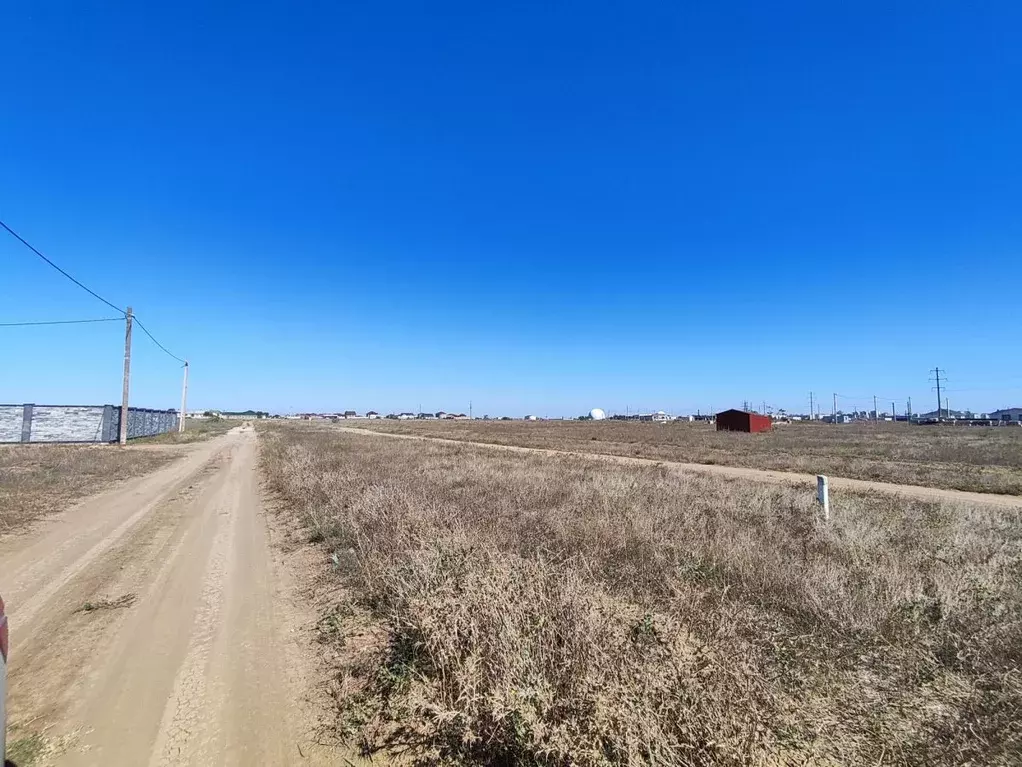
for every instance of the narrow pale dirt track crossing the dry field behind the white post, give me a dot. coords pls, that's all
(761, 475)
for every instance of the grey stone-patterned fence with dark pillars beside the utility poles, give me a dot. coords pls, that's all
(80, 423)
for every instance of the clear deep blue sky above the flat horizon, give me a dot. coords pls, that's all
(540, 208)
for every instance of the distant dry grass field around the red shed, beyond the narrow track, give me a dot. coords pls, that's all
(981, 460)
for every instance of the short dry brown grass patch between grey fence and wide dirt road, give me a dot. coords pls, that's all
(37, 480)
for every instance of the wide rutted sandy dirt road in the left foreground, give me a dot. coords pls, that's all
(151, 625)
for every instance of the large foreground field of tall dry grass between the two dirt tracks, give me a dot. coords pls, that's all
(510, 609)
